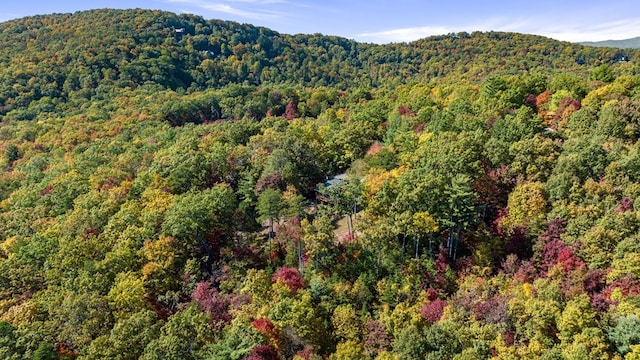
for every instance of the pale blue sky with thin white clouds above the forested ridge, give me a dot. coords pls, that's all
(388, 21)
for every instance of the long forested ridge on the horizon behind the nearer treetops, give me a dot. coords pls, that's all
(87, 53)
